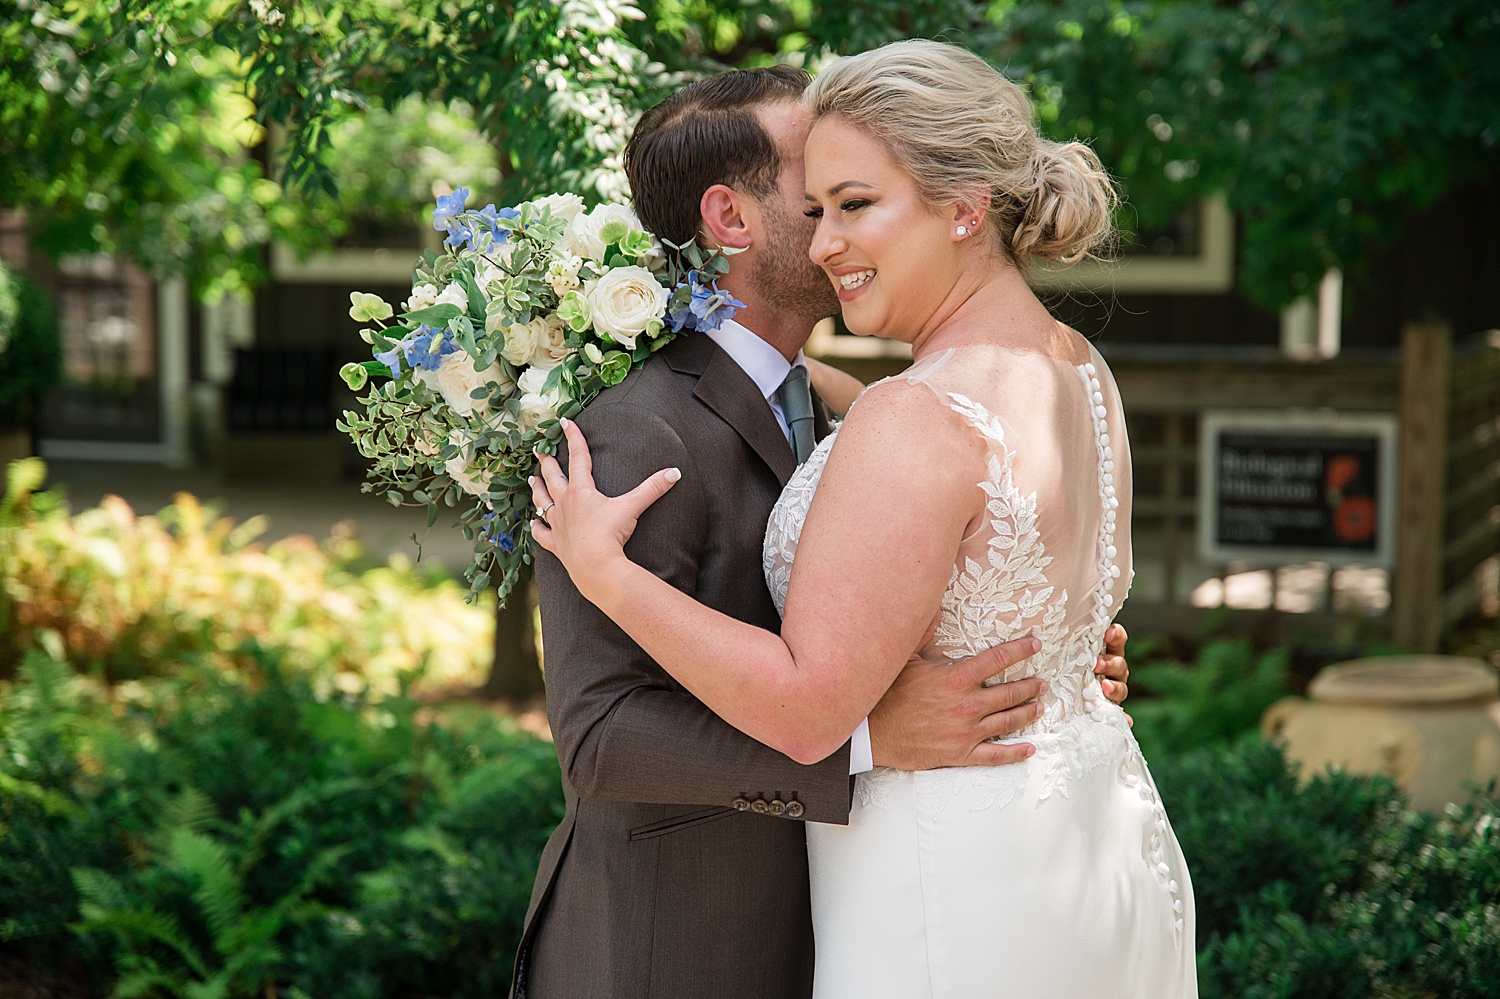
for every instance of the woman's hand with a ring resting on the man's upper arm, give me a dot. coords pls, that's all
(581, 526)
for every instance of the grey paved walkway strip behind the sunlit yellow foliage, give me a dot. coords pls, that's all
(292, 508)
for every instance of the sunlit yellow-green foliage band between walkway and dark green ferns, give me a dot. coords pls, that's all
(128, 596)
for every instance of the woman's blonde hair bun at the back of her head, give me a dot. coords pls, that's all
(1072, 206)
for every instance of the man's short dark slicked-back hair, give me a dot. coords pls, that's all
(703, 136)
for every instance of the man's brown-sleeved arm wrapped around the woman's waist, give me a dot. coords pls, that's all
(623, 728)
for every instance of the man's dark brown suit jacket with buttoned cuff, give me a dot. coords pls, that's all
(680, 869)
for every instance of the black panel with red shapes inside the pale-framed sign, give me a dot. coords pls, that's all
(1304, 491)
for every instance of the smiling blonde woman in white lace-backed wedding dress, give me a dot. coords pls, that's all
(991, 482)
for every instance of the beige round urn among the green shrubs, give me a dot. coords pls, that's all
(1429, 722)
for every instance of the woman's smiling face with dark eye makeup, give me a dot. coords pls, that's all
(890, 256)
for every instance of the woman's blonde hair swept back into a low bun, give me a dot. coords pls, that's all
(962, 130)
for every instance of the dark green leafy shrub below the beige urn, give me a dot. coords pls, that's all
(1328, 889)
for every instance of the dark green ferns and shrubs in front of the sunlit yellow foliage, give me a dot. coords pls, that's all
(226, 829)
